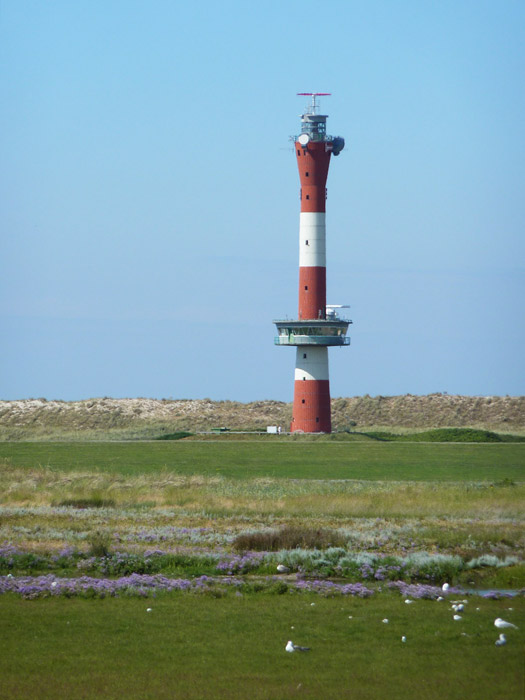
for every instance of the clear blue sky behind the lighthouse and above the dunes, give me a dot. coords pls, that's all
(150, 212)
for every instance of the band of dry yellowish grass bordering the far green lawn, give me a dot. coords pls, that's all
(278, 497)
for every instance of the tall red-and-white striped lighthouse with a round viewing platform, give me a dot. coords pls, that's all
(318, 326)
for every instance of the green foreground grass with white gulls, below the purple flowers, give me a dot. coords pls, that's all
(196, 647)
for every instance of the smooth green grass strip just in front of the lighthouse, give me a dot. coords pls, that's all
(286, 459)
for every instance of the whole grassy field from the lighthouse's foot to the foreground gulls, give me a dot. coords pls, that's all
(454, 510)
